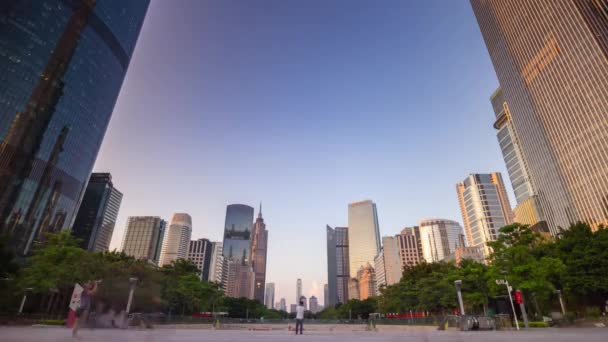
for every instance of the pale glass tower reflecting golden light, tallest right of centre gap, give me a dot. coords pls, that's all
(363, 236)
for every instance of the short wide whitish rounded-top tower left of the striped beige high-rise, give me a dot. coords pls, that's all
(439, 238)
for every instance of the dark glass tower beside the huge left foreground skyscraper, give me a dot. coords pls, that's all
(96, 217)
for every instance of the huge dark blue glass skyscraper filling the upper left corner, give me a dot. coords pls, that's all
(62, 65)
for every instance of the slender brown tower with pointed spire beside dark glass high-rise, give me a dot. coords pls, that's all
(259, 246)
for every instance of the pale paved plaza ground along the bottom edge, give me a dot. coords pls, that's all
(40, 334)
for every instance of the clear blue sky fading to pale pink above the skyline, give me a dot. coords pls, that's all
(306, 106)
